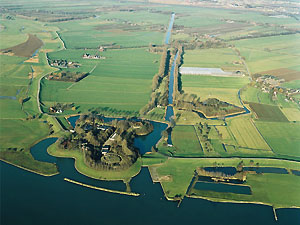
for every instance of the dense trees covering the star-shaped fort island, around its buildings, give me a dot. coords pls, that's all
(91, 133)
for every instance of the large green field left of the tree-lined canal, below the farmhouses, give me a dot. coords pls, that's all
(122, 81)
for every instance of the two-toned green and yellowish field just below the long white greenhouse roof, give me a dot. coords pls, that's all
(223, 88)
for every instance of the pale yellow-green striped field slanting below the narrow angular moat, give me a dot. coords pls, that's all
(246, 134)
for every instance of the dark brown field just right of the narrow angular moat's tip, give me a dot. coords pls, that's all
(267, 112)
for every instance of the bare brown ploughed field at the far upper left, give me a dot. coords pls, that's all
(25, 49)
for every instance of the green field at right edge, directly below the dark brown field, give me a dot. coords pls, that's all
(283, 138)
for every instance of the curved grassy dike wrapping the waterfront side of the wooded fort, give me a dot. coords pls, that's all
(82, 168)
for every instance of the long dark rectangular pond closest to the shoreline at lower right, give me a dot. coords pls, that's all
(222, 187)
